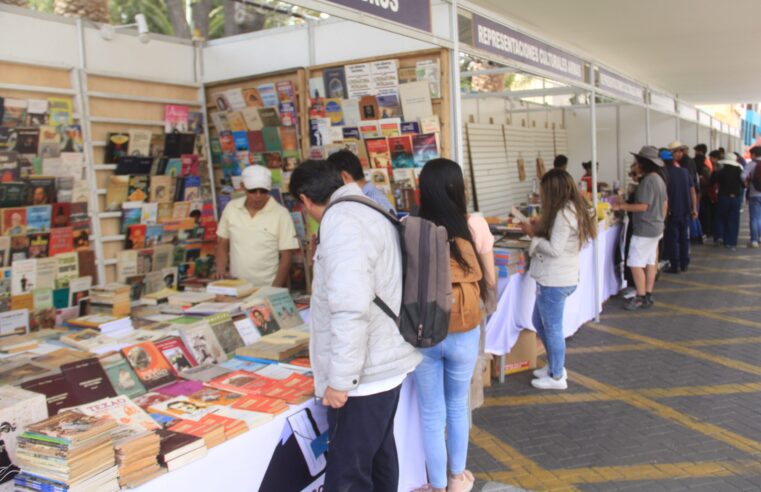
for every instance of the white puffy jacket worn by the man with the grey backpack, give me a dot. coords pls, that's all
(352, 340)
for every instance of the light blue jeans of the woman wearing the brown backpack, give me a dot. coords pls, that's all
(443, 386)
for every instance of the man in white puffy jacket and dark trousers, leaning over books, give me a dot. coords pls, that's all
(359, 358)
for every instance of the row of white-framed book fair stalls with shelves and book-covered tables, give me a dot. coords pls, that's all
(118, 156)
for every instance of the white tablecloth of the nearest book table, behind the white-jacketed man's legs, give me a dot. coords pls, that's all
(272, 450)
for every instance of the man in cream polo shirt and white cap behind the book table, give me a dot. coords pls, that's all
(256, 236)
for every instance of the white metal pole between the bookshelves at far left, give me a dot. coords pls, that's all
(84, 115)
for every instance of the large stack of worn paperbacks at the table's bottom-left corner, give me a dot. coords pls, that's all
(68, 451)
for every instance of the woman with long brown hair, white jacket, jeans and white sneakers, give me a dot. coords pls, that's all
(565, 225)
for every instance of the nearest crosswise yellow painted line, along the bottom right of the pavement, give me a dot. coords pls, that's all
(660, 471)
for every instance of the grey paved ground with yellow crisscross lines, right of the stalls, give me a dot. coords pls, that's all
(671, 402)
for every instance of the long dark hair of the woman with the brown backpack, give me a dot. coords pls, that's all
(443, 202)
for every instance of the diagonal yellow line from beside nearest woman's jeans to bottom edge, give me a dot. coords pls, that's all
(524, 472)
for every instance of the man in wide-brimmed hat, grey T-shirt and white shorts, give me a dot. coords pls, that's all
(648, 214)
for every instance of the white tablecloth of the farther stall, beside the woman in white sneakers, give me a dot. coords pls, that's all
(516, 298)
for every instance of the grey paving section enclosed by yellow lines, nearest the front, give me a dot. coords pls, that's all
(592, 434)
